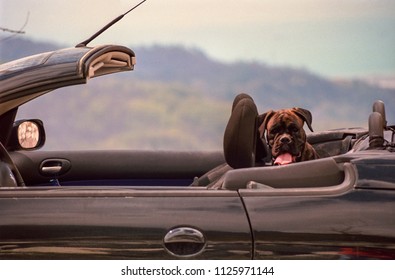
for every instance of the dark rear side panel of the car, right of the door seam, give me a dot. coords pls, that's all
(356, 225)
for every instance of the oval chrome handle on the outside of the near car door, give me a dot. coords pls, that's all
(184, 242)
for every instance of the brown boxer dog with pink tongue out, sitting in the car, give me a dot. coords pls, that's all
(285, 135)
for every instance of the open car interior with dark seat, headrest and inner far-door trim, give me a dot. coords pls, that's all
(245, 162)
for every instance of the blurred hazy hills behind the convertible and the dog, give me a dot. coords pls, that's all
(179, 98)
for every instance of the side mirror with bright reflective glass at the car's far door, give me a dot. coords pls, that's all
(27, 135)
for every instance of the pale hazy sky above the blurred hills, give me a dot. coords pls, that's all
(334, 38)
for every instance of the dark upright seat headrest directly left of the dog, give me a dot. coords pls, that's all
(242, 146)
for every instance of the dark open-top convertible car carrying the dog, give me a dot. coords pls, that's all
(232, 204)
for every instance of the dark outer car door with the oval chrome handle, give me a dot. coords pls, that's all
(123, 223)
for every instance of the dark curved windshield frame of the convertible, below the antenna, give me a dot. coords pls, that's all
(27, 78)
